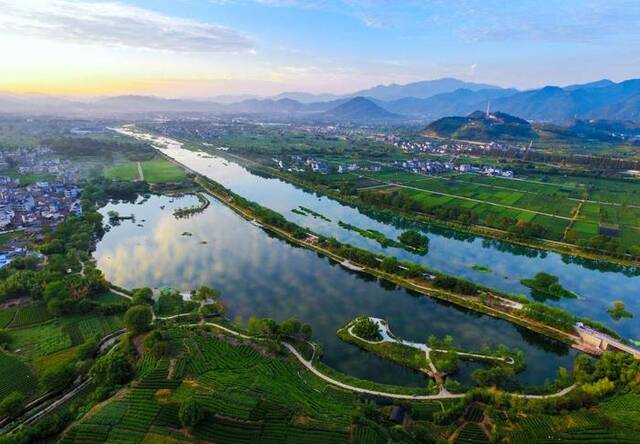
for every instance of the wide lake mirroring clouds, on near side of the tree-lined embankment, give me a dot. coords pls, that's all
(264, 276)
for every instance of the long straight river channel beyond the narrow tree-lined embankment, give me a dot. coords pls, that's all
(597, 283)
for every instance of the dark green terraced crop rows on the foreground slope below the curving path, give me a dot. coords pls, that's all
(259, 399)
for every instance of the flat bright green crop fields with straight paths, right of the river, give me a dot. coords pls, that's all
(547, 201)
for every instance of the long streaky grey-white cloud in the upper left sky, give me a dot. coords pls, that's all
(116, 24)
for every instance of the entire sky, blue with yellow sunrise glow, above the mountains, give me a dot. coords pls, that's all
(207, 48)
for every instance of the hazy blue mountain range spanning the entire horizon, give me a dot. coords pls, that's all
(425, 100)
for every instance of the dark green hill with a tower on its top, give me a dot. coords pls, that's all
(480, 127)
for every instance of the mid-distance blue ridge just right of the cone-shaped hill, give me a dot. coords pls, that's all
(459, 102)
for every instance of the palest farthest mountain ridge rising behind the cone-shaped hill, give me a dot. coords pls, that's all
(420, 90)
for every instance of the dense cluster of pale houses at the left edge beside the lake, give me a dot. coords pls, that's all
(36, 206)
